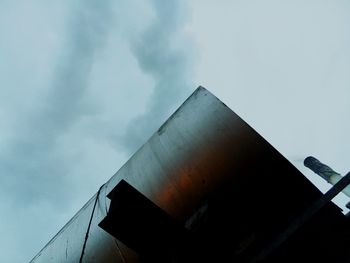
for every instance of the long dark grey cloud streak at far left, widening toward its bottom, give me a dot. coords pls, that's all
(33, 162)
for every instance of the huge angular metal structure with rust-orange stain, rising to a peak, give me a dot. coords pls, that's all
(205, 188)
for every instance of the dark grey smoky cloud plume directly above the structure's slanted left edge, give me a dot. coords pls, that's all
(162, 54)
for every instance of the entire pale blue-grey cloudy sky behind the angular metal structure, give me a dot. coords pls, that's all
(84, 83)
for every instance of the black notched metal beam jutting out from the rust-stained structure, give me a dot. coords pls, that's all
(142, 225)
